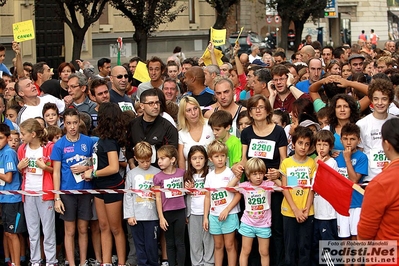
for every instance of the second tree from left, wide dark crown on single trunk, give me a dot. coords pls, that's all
(146, 16)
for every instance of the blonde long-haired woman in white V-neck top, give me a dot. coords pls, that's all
(193, 128)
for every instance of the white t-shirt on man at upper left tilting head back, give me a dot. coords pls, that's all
(28, 111)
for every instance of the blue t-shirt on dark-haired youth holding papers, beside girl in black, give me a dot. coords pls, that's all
(69, 154)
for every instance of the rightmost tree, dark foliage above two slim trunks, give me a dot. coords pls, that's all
(298, 11)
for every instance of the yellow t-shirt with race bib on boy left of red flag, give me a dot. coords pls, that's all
(297, 173)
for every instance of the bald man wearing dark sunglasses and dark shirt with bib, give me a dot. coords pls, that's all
(119, 81)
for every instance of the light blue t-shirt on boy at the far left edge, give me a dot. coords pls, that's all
(8, 163)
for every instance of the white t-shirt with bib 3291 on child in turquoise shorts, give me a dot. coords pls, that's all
(220, 199)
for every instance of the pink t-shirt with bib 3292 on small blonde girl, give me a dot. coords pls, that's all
(257, 211)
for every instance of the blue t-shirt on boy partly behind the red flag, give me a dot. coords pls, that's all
(360, 165)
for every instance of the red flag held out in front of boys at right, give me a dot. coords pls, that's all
(333, 187)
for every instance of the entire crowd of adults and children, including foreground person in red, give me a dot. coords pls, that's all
(177, 141)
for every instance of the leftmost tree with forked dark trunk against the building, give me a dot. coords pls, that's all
(91, 11)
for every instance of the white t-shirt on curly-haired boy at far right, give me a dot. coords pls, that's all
(371, 142)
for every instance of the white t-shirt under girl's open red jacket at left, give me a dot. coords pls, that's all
(33, 174)
